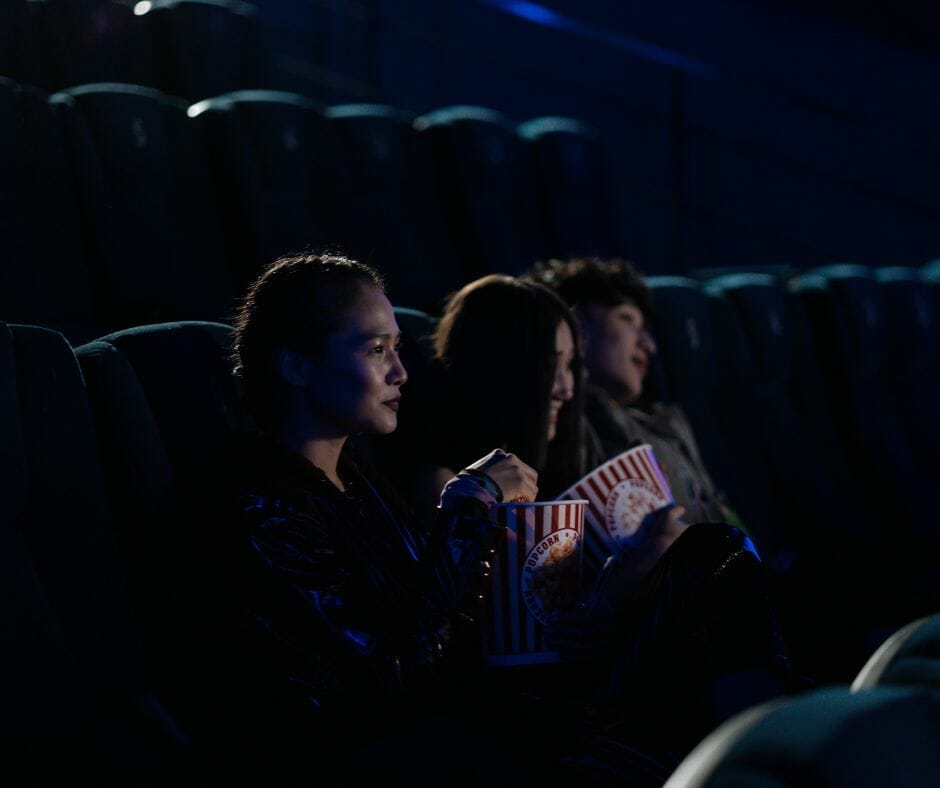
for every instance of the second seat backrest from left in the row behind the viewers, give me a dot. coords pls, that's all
(154, 240)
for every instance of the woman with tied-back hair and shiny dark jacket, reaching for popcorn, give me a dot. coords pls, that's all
(356, 628)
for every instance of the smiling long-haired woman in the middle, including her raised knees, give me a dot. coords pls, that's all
(680, 632)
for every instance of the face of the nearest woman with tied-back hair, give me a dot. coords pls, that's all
(354, 385)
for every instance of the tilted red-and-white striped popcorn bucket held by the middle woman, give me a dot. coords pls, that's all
(620, 493)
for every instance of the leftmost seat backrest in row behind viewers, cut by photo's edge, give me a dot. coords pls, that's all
(44, 279)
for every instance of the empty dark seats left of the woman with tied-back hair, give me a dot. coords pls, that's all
(113, 674)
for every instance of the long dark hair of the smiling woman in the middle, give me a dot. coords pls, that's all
(496, 343)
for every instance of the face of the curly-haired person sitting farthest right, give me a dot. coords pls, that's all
(617, 348)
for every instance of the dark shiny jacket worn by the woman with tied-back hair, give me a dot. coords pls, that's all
(349, 623)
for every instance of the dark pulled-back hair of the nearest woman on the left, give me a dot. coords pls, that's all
(294, 304)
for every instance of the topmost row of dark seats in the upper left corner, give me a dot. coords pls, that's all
(187, 48)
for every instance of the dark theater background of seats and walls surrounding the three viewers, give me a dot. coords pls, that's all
(772, 167)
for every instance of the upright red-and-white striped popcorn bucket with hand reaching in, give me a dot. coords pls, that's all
(537, 570)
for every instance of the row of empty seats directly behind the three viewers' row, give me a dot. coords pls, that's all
(124, 205)
